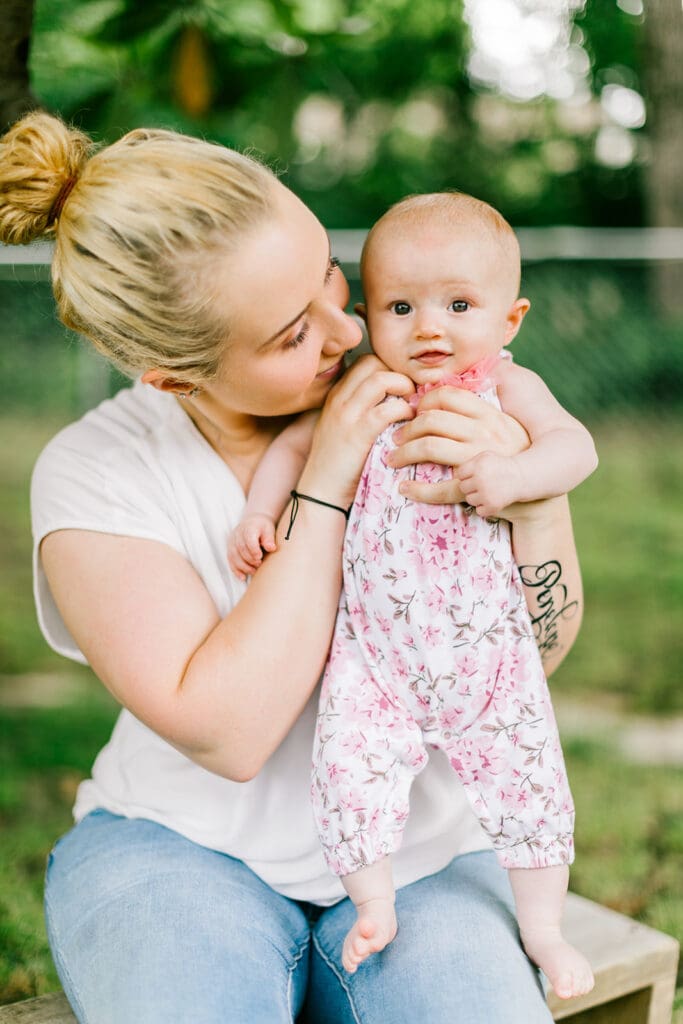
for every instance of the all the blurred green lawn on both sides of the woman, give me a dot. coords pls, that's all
(630, 838)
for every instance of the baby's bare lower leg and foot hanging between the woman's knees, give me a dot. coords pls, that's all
(372, 892)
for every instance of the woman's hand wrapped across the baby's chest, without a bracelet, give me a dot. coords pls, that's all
(453, 426)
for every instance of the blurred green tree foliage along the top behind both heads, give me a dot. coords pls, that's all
(359, 104)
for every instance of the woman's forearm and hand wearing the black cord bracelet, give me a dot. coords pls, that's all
(262, 664)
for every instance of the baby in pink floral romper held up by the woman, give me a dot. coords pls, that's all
(434, 645)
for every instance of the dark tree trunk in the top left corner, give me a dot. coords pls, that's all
(16, 96)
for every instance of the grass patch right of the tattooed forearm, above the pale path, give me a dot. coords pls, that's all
(629, 527)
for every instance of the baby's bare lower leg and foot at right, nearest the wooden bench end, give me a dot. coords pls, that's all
(539, 897)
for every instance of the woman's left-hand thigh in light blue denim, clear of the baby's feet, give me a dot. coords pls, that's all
(148, 927)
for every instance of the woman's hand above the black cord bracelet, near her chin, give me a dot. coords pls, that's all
(353, 418)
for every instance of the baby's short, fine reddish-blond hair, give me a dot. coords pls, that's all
(453, 209)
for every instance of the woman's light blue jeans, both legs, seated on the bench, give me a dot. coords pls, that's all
(148, 927)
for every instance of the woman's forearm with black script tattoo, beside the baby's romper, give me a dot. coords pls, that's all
(544, 549)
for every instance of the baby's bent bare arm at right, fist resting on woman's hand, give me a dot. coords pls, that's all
(561, 457)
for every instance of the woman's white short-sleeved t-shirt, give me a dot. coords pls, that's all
(137, 466)
